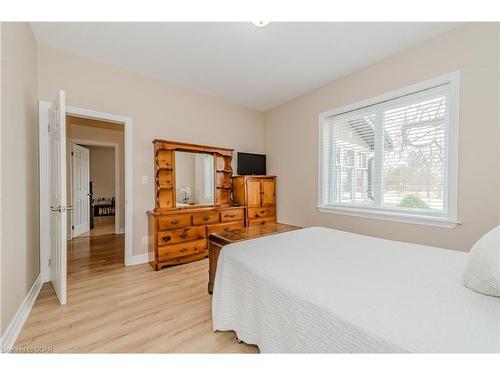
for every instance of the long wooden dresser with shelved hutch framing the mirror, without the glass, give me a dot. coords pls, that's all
(179, 234)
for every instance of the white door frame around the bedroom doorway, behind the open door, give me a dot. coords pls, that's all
(44, 177)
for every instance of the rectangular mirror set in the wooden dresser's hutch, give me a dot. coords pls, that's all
(194, 179)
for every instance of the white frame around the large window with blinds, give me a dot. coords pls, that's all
(450, 220)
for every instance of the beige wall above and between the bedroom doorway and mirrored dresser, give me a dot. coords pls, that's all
(158, 110)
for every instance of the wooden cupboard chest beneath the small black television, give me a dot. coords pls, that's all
(258, 194)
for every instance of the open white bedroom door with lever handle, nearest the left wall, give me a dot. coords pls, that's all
(58, 209)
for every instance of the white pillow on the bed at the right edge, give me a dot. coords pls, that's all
(482, 273)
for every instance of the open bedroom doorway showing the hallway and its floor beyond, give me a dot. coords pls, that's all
(96, 191)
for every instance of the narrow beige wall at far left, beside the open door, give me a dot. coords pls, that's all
(19, 148)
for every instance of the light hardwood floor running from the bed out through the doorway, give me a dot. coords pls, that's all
(112, 308)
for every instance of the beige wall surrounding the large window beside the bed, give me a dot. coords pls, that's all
(292, 136)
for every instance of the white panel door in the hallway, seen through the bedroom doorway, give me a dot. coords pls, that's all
(81, 190)
